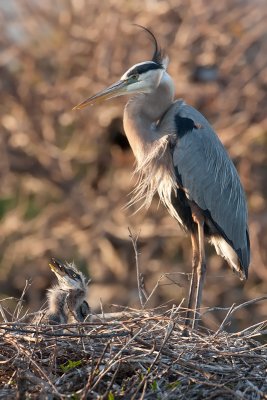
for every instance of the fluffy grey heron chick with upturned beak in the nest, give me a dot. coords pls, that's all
(67, 298)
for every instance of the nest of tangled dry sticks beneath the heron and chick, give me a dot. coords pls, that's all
(132, 355)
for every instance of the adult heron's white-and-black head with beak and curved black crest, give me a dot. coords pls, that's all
(140, 78)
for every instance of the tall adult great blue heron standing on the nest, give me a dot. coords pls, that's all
(179, 156)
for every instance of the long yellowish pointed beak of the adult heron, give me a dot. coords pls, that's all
(117, 89)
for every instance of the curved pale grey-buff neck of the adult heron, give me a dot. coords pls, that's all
(141, 114)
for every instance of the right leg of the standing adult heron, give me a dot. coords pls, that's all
(201, 268)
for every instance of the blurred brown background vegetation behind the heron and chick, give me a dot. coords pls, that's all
(66, 176)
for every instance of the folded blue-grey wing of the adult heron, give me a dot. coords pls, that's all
(210, 178)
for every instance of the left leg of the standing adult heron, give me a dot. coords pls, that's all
(193, 283)
